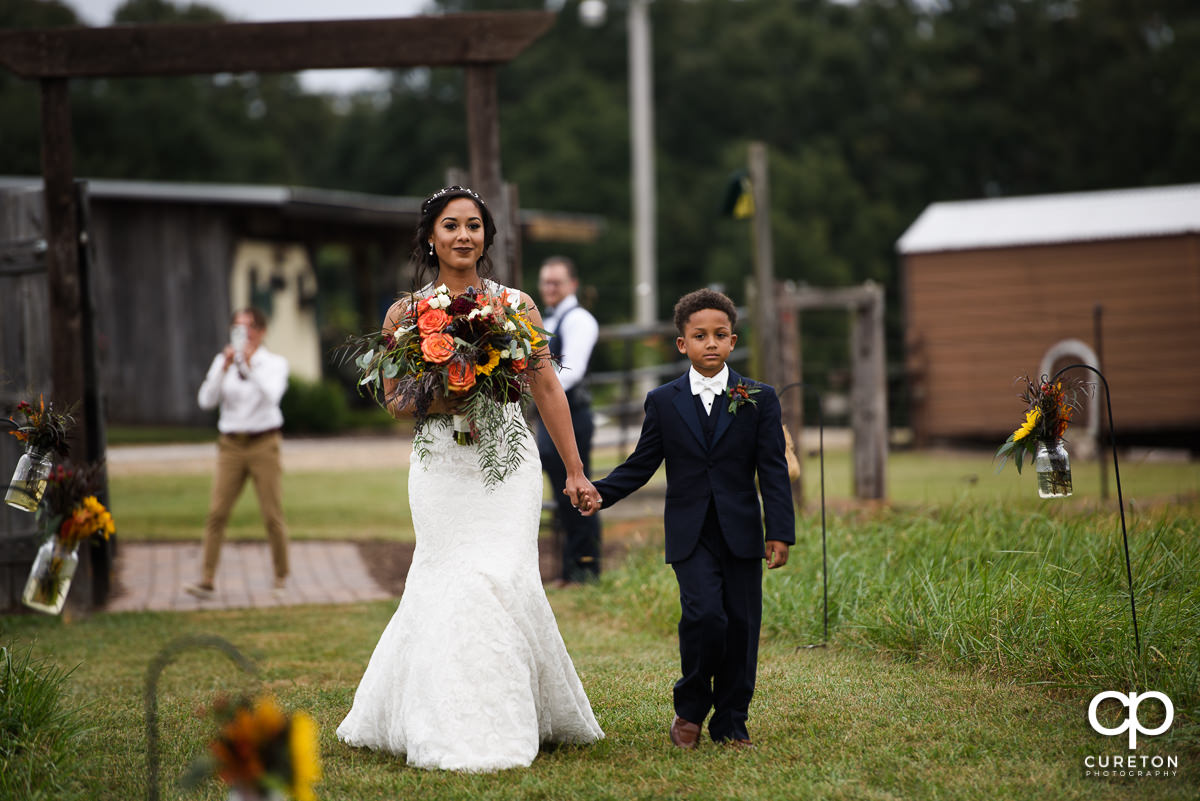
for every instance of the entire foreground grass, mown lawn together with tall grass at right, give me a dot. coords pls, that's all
(965, 643)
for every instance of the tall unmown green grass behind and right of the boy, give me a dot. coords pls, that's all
(1036, 599)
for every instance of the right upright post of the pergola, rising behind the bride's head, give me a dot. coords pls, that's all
(484, 146)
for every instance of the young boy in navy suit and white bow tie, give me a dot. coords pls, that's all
(716, 431)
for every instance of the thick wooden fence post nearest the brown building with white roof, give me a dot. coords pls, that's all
(868, 405)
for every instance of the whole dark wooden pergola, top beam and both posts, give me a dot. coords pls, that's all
(478, 43)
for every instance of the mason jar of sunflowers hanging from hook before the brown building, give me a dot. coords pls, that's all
(1049, 407)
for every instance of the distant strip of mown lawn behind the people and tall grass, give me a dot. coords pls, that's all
(374, 504)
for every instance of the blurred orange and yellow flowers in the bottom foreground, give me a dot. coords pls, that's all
(261, 751)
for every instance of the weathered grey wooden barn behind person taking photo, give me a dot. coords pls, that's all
(171, 261)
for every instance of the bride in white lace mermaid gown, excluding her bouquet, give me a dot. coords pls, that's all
(471, 673)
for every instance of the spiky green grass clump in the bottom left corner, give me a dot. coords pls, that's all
(39, 754)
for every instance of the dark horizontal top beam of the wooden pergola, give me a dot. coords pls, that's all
(475, 39)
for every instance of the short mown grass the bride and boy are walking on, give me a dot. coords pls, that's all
(833, 724)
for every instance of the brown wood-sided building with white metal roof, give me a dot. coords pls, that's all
(997, 290)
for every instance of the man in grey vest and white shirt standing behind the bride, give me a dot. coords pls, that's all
(574, 334)
